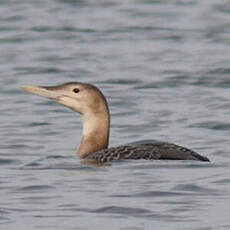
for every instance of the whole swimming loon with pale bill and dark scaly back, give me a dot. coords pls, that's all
(91, 104)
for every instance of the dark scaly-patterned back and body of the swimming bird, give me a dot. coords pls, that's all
(152, 150)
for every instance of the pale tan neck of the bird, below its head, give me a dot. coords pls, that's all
(95, 133)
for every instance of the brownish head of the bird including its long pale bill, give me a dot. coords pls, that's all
(80, 97)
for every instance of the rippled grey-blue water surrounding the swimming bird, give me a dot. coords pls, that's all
(164, 68)
